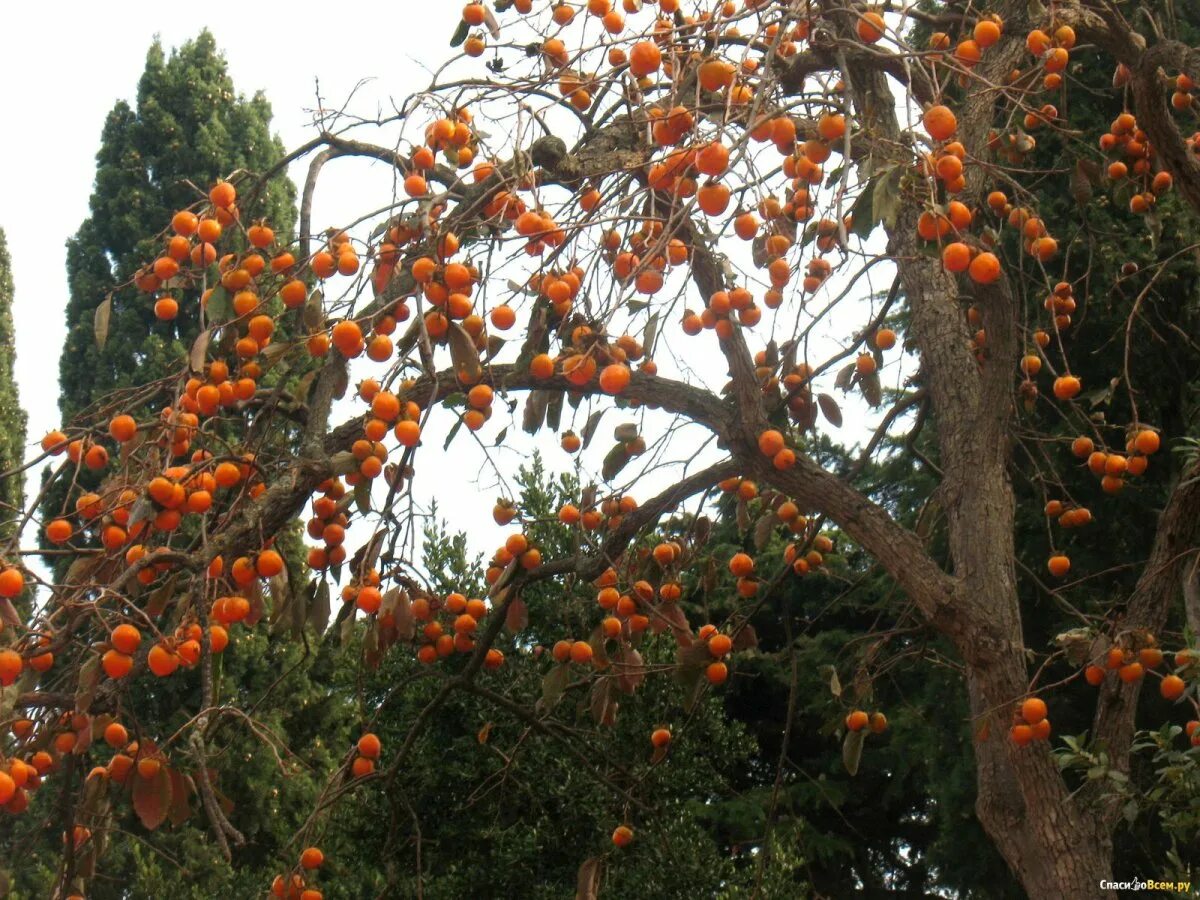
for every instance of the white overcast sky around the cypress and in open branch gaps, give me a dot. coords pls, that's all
(67, 69)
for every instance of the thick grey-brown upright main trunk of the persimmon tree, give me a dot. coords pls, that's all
(1053, 844)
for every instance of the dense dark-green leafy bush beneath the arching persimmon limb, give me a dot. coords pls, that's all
(505, 808)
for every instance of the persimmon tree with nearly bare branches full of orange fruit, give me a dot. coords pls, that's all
(573, 218)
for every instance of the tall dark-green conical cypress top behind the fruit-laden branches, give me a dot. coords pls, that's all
(189, 129)
